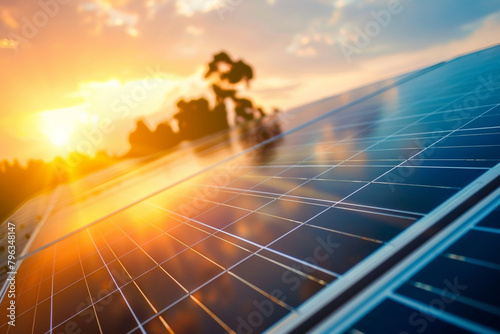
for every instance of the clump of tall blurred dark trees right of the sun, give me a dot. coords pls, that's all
(196, 118)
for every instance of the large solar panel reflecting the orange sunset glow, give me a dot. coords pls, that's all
(280, 235)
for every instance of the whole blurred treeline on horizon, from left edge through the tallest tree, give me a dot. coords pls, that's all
(195, 118)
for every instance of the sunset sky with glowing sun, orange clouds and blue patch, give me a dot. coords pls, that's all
(84, 70)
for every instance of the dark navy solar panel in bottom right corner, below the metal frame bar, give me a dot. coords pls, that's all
(451, 288)
